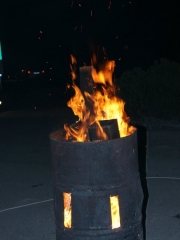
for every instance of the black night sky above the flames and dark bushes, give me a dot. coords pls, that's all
(133, 33)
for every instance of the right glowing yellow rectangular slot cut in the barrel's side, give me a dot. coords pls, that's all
(115, 213)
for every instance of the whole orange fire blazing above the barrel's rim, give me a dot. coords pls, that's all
(103, 104)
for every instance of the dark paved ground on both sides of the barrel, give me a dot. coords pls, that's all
(26, 206)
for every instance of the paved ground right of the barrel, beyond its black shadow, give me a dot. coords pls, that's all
(163, 179)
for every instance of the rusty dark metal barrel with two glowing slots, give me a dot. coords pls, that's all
(86, 177)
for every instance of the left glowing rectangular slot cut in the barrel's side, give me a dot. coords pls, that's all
(67, 210)
